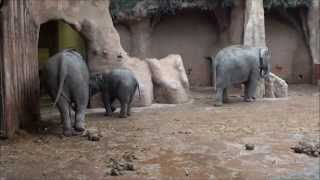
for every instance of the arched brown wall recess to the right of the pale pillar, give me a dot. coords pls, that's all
(291, 58)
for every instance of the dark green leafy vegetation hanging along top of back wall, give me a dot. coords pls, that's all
(134, 8)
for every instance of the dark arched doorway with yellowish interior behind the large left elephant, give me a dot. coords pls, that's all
(55, 36)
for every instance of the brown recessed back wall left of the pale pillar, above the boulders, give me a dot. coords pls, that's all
(191, 33)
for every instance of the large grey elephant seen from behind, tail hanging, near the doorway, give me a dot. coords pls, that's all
(66, 78)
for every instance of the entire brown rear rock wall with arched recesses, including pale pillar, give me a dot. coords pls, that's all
(295, 51)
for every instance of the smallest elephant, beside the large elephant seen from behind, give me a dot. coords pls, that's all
(118, 84)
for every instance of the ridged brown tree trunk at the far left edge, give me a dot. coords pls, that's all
(19, 67)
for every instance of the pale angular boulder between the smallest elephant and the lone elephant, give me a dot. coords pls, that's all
(171, 84)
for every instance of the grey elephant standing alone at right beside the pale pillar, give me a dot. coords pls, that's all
(239, 64)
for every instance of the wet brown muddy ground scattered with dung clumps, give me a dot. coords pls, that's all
(189, 141)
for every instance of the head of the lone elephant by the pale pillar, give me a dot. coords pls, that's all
(264, 62)
